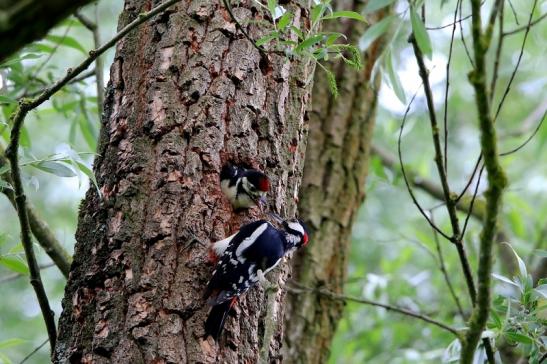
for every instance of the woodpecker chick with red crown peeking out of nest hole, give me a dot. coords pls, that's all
(244, 187)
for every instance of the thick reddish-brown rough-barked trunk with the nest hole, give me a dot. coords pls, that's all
(187, 93)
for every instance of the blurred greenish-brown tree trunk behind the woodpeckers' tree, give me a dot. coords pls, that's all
(332, 191)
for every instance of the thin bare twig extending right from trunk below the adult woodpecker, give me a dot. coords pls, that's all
(403, 311)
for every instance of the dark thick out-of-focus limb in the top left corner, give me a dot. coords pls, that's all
(22, 21)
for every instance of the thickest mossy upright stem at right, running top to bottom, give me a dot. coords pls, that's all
(496, 184)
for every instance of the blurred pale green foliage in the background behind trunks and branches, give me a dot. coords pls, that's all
(394, 256)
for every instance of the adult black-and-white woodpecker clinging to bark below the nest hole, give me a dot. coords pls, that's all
(244, 259)
